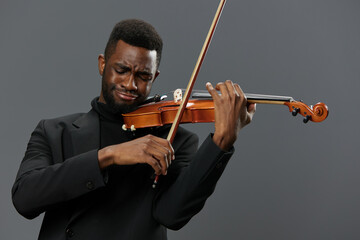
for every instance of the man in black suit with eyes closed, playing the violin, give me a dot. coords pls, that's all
(93, 179)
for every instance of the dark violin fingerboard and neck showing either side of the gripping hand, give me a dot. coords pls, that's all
(252, 98)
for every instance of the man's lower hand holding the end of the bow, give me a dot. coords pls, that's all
(155, 151)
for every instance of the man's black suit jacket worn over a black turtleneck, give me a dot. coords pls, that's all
(60, 176)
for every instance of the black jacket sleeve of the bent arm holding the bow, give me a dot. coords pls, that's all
(41, 183)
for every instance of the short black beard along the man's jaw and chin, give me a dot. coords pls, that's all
(118, 108)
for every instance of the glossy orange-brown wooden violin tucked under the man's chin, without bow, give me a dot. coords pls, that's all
(201, 110)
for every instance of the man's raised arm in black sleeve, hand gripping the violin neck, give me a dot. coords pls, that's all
(187, 195)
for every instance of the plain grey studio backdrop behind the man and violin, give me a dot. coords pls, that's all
(287, 180)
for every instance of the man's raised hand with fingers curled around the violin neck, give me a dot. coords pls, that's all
(232, 112)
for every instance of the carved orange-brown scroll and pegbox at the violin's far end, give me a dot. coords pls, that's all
(316, 113)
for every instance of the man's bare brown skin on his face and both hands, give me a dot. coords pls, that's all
(129, 74)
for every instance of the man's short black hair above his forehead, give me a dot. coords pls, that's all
(137, 33)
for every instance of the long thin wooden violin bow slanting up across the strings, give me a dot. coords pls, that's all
(193, 77)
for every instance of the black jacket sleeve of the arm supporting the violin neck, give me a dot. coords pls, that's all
(194, 182)
